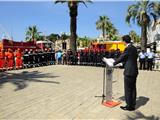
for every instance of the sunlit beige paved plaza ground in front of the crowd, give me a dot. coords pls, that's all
(68, 92)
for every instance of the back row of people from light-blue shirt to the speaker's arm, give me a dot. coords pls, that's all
(85, 57)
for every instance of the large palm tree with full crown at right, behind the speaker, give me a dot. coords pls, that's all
(143, 12)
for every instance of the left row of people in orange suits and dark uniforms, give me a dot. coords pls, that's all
(10, 60)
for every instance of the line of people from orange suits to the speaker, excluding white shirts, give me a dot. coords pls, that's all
(38, 58)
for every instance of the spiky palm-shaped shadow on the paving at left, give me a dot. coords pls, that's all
(21, 80)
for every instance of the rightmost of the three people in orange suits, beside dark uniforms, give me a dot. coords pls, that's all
(18, 56)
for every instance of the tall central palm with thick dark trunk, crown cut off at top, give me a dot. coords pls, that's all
(73, 12)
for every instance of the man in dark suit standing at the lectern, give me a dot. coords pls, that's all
(129, 58)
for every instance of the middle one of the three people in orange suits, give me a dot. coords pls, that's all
(10, 59)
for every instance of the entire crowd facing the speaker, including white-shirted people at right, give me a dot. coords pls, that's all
(34, 58)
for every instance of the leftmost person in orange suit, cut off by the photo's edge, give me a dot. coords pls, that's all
(2, 60)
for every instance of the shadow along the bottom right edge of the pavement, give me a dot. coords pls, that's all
(137, 115)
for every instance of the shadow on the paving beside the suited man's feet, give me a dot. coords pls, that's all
(141, 101)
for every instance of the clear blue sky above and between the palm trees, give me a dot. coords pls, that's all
(16, 16)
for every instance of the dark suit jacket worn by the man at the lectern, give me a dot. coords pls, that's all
(129, 58)
